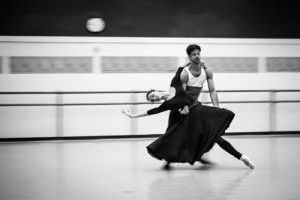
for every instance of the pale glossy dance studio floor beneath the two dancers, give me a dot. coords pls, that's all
(122, 169)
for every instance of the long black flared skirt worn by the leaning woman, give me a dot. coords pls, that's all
(193, 135)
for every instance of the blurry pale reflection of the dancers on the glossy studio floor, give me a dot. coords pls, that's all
(202, 183)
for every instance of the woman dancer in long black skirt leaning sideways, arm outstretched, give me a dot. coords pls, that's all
(194, 134)
